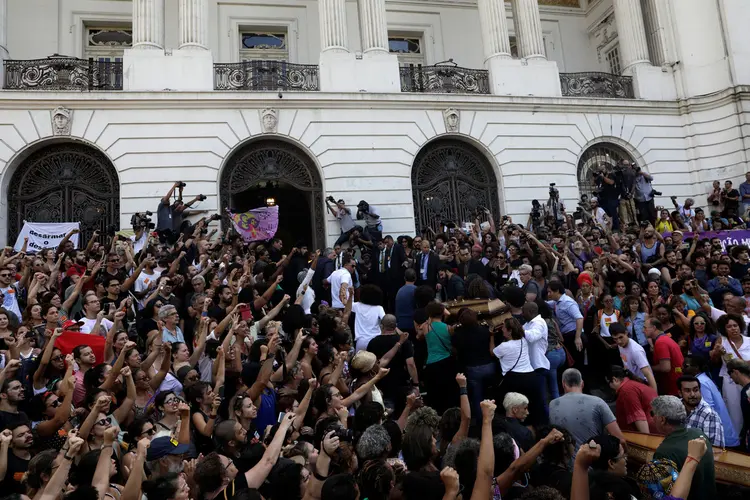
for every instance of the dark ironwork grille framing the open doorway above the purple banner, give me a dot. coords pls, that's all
(271, 161)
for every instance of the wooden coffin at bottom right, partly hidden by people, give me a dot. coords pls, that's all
(731, 467)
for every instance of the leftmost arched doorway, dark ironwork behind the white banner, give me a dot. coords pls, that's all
(65, 182)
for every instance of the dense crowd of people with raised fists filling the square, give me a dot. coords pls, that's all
(187, 363)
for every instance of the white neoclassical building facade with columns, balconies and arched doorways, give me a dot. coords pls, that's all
(427, 109)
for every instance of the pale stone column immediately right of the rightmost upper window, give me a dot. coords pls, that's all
(631, 32)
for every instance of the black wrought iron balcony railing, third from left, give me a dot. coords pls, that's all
(444, 78)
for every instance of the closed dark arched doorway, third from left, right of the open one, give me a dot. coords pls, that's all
(450, 181)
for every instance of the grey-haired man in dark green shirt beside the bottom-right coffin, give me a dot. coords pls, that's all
(669, 417)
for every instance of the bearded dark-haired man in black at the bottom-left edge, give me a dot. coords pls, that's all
(15, 444)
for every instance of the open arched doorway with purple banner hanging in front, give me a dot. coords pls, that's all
(276, 169)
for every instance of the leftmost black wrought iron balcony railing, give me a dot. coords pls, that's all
(63, 73)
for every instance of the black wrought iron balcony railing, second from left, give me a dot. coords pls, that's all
(266, 75)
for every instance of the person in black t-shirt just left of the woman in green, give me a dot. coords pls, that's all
(403, 377)
